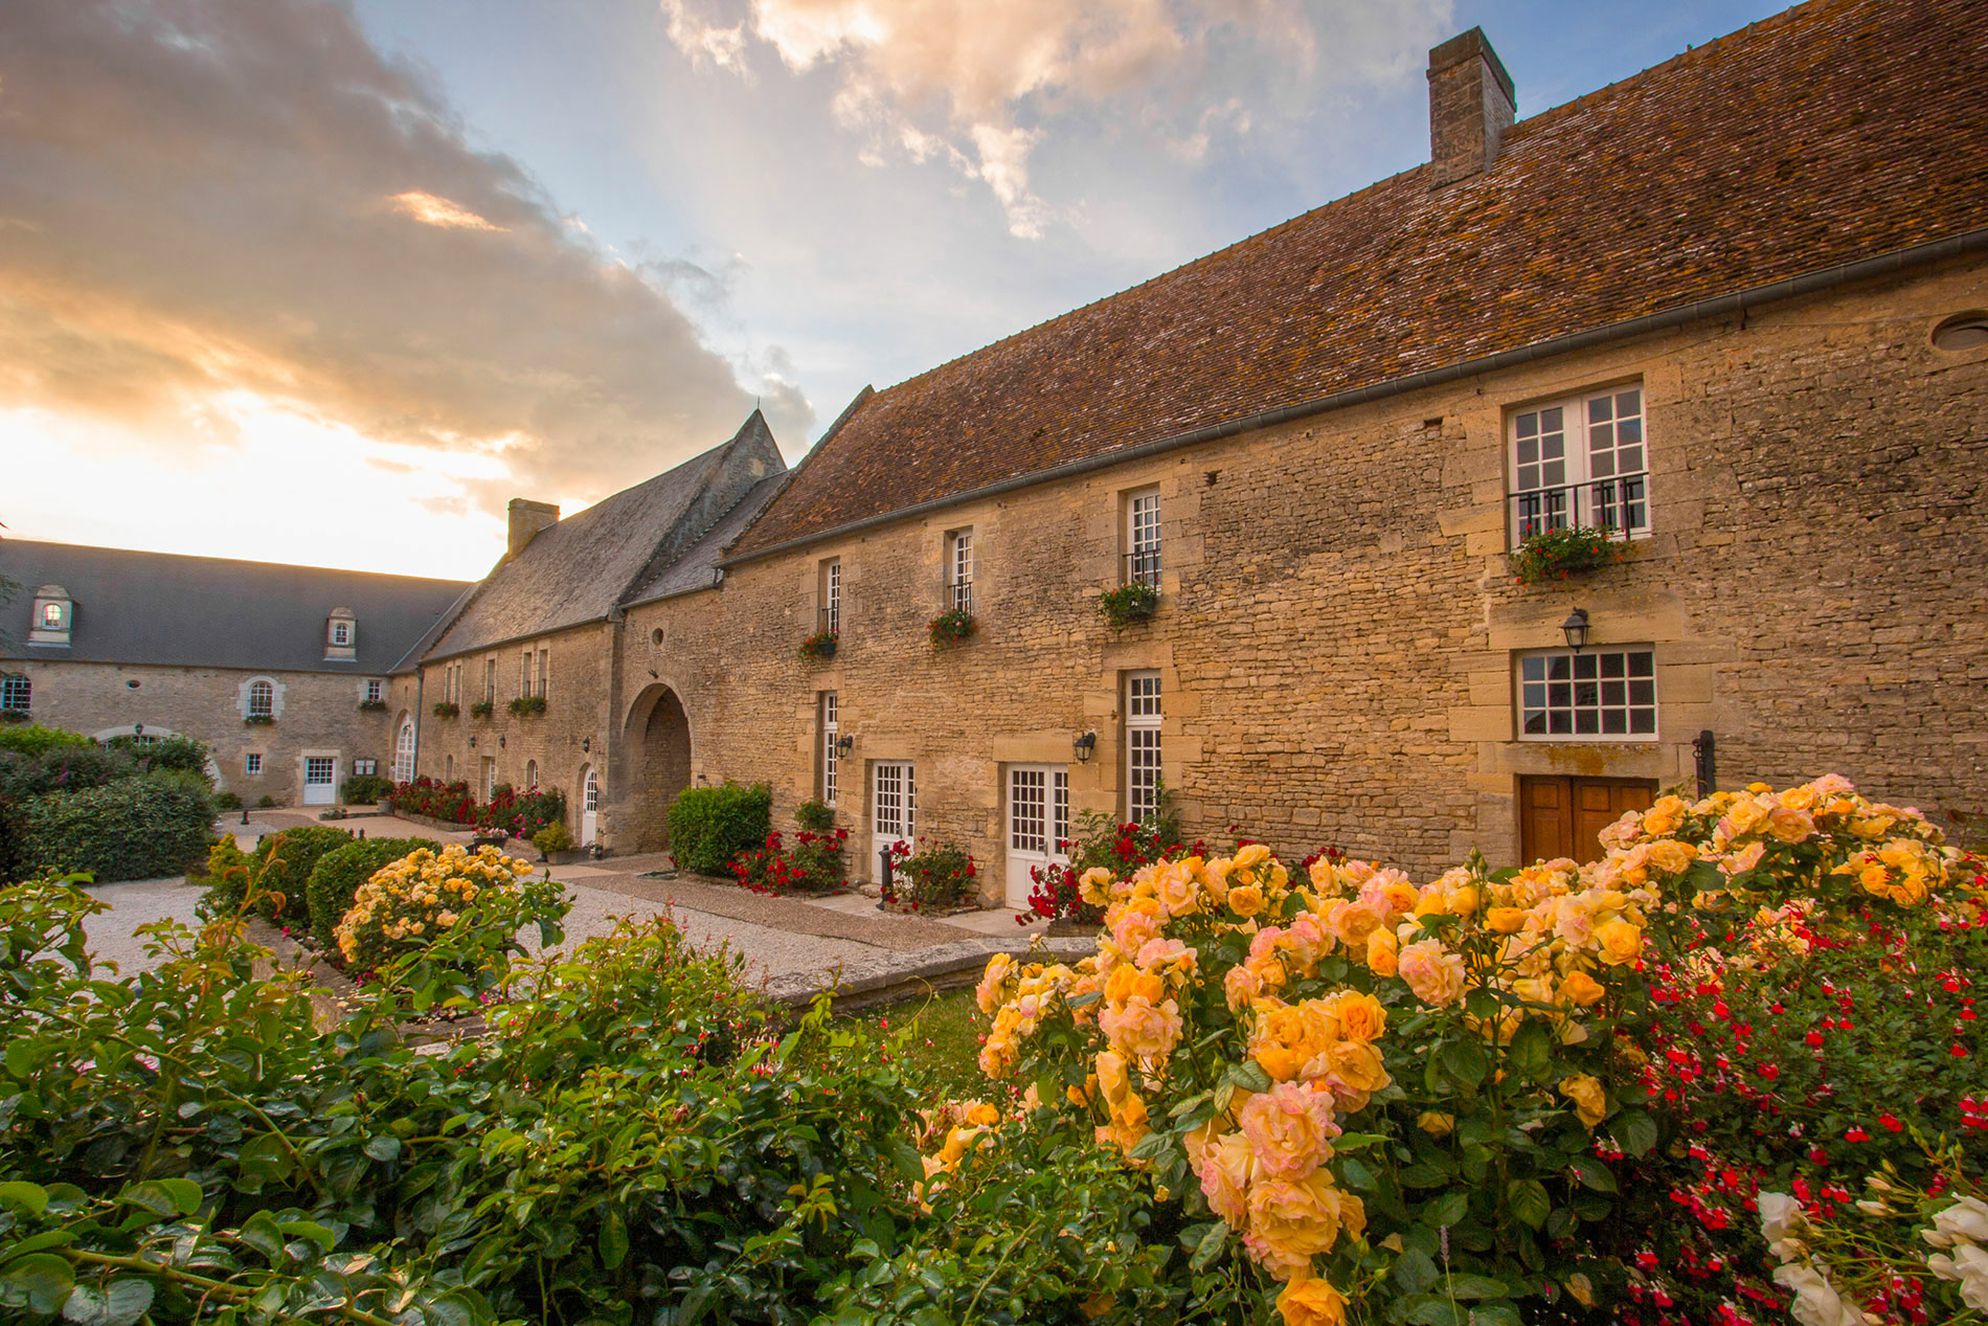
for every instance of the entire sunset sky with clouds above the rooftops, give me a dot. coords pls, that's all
(331, 283)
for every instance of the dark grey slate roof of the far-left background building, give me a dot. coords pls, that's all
(216, 613)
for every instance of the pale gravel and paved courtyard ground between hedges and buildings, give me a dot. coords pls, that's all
(788, 943)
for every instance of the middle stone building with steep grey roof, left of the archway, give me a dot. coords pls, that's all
(526, 687)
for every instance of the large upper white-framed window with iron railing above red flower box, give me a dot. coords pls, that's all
(1581, 462)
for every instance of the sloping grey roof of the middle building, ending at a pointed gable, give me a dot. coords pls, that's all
(580, 570)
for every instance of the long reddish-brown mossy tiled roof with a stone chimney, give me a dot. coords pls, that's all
(1828, 134)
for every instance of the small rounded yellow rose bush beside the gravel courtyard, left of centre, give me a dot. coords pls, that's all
(456, 908)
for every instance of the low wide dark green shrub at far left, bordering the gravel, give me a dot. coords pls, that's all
(138, 828)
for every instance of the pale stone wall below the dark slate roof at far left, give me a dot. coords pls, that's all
(317, 715)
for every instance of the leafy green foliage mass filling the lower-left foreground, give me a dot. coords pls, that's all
(633, 1132)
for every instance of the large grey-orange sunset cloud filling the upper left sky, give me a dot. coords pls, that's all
(244, 196)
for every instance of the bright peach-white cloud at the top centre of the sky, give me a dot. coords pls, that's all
(981, 86)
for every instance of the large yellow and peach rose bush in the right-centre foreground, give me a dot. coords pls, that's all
(1355, 1096)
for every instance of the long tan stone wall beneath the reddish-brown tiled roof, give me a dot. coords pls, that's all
(1339, 631)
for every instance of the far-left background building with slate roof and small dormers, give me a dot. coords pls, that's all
(281, 671)
